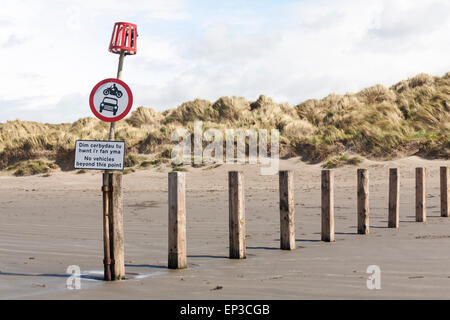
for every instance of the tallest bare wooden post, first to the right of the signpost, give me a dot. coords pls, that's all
(177, 221)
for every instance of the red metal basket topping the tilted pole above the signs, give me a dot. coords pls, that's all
(123, 38)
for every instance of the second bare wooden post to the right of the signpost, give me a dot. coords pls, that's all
(236, 215)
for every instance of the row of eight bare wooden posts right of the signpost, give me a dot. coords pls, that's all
(177, 209)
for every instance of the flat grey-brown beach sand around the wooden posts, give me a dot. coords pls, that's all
(49, 223)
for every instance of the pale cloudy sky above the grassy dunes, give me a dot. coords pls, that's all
(54, 52)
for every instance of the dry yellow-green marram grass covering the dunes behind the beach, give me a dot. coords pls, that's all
(410, 118)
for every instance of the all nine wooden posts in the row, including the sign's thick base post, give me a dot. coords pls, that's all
(113, 224)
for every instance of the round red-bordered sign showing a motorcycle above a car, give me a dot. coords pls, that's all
(111, 100)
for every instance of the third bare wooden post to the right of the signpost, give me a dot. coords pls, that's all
(287, 210)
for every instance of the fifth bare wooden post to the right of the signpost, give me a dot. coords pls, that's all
(363, 201)
